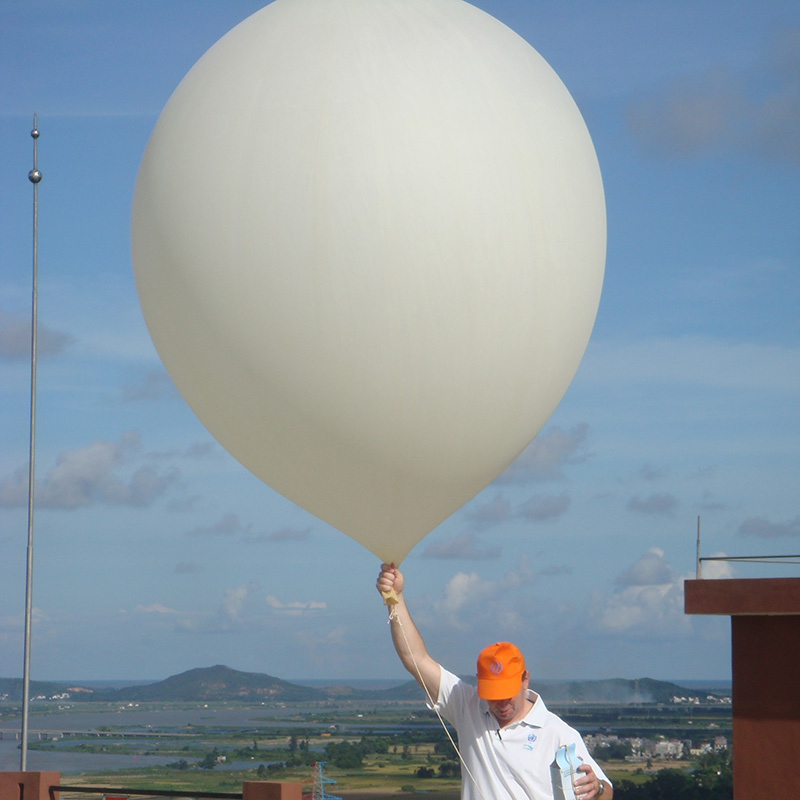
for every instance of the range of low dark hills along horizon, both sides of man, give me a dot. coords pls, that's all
(222, 683)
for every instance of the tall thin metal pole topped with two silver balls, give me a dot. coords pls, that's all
(34, 176)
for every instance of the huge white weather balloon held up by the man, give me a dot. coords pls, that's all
(368, 240)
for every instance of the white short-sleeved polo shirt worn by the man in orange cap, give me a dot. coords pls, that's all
(509, 762)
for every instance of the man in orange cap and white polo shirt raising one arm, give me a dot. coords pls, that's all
(507, 737)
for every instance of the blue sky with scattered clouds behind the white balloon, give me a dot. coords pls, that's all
(155, 552)
